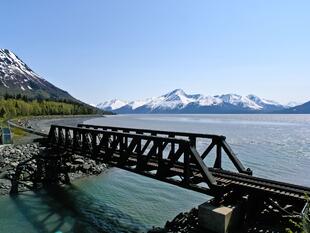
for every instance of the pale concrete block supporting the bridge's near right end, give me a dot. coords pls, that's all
(219, 219)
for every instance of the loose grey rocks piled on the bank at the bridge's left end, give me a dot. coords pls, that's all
(12, 155)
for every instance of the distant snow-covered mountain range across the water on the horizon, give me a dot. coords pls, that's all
(178, 101)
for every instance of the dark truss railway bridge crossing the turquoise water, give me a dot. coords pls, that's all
(182, 159)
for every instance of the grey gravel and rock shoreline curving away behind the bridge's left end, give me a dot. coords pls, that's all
(24, 148)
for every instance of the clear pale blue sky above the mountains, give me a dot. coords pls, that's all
(132, 49)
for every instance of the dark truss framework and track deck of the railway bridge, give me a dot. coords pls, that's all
(193, 173)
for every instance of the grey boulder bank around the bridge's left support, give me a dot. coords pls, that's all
(12, 156)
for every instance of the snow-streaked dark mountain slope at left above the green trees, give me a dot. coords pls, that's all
(17, 78)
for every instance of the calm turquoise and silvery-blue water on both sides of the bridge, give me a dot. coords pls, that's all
(273, 146)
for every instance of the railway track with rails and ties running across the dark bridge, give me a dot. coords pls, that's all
(237, 181)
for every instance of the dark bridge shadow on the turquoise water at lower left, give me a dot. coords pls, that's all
(70, 209)
